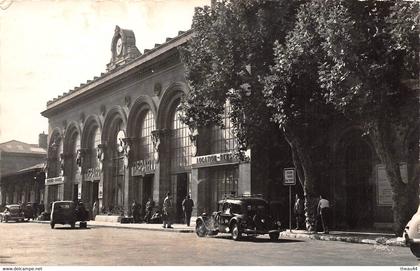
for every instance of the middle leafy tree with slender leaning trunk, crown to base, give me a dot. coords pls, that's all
(293, 91)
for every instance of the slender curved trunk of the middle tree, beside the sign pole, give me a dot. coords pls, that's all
(306, 172)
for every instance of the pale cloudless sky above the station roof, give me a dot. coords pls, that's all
(48, 47)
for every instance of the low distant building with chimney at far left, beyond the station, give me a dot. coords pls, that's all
(22, 171)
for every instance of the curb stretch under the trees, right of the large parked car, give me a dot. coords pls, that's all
(383, 241)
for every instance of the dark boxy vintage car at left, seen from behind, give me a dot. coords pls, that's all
(68, 212)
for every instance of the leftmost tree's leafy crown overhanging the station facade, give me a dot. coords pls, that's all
(231, 48)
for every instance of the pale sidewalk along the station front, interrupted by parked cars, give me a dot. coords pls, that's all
(375, 238)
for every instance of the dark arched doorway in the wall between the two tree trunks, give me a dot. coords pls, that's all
(359, 185)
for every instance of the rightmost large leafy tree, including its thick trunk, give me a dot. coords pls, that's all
(372, 51)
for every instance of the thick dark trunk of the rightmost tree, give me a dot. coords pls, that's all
(391, 151)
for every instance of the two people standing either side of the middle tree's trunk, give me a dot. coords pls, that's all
(323, 213)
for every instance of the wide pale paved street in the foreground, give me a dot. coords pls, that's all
(37, 244)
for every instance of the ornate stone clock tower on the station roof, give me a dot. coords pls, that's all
(123, 48)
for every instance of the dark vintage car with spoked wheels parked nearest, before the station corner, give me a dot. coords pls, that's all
(238, 216)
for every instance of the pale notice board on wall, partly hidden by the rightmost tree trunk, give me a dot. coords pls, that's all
(384, 190)
